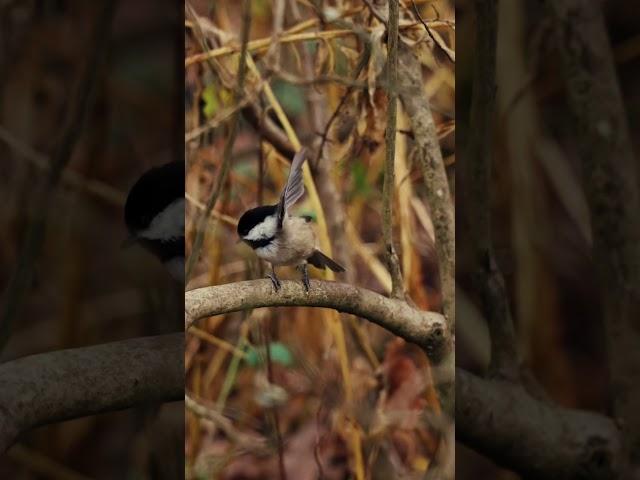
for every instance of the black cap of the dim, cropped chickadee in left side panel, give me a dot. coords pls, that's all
(152, 193)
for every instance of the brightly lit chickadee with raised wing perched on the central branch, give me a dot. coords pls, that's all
(281, 238)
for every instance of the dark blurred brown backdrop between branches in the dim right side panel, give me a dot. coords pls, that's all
(541, 228)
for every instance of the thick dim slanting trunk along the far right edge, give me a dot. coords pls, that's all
(610, 178)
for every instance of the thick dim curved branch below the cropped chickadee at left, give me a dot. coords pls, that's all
(52, 387)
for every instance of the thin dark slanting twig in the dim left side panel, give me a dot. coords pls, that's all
(15, 293)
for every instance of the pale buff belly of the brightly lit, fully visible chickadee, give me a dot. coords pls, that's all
(295, 243)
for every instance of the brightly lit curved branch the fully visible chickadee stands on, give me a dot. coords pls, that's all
(426, 329)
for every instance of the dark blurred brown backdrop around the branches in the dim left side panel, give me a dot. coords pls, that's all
(86, 289)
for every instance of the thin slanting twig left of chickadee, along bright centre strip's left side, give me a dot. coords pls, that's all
(228, 148)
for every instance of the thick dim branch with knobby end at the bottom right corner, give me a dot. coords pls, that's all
(501, 420)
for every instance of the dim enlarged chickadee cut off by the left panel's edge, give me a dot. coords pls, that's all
(154, 215)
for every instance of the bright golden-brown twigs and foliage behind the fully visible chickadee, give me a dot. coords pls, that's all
(328, 399)
